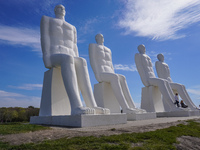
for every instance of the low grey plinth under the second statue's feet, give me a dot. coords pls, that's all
(142, 116)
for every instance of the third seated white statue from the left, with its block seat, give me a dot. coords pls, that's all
(154, 87)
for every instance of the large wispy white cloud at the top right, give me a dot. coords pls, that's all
(159, 19)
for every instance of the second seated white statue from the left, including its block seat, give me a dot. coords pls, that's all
(112, 91)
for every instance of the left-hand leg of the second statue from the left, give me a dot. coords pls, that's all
(114, 80)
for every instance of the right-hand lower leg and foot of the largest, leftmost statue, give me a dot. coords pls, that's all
(85, 85)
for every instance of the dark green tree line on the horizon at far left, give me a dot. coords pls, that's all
(17, 114)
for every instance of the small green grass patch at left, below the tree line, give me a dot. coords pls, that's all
(17, 127)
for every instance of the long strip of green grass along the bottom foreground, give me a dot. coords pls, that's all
(162, 139)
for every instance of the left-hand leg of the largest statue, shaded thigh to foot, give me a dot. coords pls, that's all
(68, 72)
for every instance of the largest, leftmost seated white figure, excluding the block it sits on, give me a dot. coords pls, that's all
(59, 47)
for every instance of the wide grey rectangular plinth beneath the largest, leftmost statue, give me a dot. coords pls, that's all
(80, 120)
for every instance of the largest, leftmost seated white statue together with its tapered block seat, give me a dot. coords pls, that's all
(68, 74)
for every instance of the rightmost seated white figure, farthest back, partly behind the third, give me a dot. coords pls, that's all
(163, 72)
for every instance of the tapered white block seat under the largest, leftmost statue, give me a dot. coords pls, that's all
(54, 99)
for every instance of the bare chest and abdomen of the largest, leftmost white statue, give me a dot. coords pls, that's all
(61, 37)
